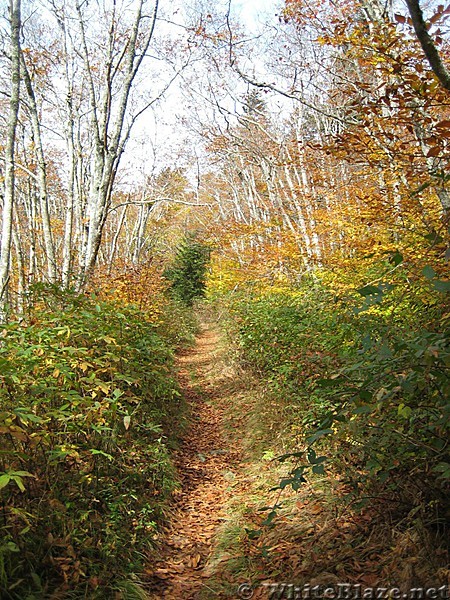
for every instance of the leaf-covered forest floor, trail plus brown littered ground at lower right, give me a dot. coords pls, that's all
(217, 541)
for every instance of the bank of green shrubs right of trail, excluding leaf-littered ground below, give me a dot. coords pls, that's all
(366, 387)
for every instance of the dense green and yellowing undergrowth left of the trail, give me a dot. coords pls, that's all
(89, 410)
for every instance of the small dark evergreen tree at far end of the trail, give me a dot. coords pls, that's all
(187, 272)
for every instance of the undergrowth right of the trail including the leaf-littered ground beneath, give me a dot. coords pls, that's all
(355, 405)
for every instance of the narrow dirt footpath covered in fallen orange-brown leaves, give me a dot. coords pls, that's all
(208, 465)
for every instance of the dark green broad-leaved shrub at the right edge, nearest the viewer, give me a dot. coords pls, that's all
(394, 418)
